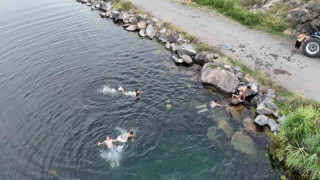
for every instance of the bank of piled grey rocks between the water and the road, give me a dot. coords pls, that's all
(214, 72)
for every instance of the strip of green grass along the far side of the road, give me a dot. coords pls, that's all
(236, 10)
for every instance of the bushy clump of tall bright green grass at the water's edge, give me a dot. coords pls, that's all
(298, 141)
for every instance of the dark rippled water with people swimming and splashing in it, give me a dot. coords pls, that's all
(59, 62)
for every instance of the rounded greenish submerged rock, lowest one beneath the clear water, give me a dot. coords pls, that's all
(243, 143)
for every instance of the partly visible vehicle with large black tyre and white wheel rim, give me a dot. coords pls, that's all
(311, 47)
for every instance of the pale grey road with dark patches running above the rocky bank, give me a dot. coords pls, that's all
(268, 53)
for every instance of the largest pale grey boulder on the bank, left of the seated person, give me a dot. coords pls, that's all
(221, 79)
